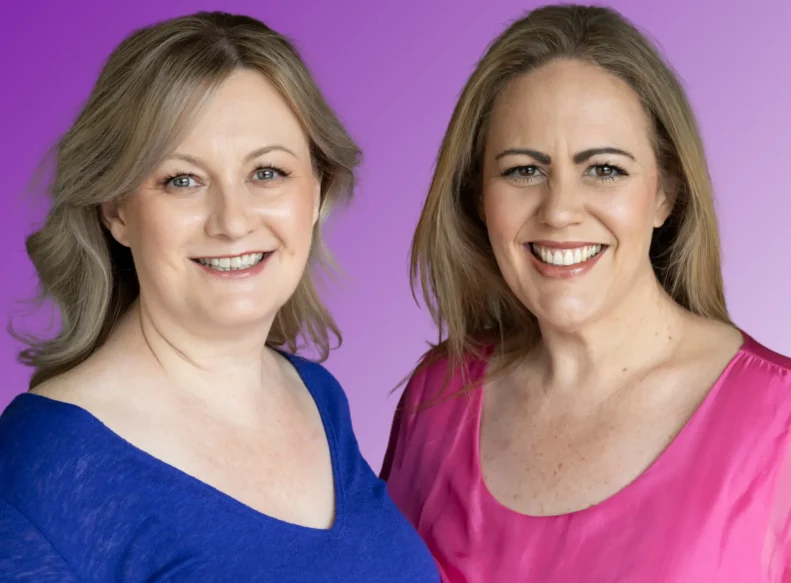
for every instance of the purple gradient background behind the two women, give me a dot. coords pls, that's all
(393, 71)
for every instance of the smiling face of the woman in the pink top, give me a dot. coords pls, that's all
(571, 192)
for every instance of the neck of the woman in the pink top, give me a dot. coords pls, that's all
(637, 334)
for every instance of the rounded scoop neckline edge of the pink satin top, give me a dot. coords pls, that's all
(628, 489)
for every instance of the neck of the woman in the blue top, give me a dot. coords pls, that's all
(226, 373)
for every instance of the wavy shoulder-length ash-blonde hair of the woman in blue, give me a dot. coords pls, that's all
(151, 88)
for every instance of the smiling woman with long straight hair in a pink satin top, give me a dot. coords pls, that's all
(616, 426)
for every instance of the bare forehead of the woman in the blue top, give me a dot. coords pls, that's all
(246, 107)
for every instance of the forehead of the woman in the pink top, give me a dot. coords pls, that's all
(571, 101)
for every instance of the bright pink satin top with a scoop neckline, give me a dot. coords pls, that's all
(713, 508)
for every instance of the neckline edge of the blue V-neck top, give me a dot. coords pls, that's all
(228, 501)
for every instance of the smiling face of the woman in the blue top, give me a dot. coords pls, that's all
(221, 231)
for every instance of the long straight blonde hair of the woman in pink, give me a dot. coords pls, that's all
(452, 260)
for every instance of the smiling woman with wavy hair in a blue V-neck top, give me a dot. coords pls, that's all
(170, 434)
